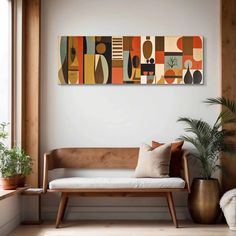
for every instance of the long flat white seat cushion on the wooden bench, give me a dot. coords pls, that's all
(114, 183)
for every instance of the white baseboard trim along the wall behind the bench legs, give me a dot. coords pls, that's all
(115, 213)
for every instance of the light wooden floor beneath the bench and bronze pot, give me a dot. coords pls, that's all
(123, 228)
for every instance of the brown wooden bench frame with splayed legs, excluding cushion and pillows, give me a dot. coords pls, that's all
(106, 158)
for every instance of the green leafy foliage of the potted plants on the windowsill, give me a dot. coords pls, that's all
(12, 160)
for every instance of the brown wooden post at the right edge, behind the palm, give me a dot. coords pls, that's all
(228, 34)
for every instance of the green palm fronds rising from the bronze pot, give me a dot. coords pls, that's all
(209, 140)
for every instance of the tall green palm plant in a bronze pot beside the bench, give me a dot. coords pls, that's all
(209, 141)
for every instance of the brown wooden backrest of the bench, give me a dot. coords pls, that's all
(94, 158)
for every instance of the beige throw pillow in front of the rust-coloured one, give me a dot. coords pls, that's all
(153, 162)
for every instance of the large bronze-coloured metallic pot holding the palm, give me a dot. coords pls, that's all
(203, 201)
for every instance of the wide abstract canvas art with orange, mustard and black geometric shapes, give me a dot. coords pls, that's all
(130, 60)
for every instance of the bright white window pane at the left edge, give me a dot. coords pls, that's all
(5, 60)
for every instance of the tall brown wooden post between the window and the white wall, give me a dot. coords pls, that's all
(31, 85)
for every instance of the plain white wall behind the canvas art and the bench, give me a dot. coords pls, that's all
(112, 115)
